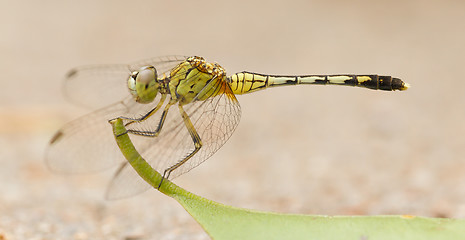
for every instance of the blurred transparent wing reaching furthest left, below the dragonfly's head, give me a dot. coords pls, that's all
(87, 144)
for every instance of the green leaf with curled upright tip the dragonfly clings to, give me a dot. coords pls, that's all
(226, 222)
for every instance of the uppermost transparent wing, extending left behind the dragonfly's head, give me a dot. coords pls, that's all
(100, 85)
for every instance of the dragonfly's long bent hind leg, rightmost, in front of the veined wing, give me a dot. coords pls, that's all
(195, 138)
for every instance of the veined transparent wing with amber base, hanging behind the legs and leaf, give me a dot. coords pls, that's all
(215, 119)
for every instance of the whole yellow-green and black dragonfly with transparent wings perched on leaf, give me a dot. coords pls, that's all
(177, 110)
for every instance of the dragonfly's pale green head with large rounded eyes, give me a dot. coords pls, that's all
(143, 84)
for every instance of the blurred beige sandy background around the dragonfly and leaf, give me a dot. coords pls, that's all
(308, 149)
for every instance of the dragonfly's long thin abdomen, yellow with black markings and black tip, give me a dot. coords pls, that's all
(245, 82)
